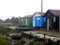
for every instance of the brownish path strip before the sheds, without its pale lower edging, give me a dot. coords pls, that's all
(51, 32)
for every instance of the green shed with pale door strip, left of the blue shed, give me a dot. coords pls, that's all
(26, 20)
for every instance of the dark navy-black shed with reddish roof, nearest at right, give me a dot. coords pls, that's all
(52, 19)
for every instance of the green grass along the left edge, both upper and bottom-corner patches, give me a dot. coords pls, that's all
(5, 31)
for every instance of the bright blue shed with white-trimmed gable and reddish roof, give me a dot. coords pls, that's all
(38, 20)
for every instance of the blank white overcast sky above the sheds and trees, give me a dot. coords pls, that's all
(9, 8)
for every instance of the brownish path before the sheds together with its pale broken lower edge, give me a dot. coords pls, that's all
(53, 35)
